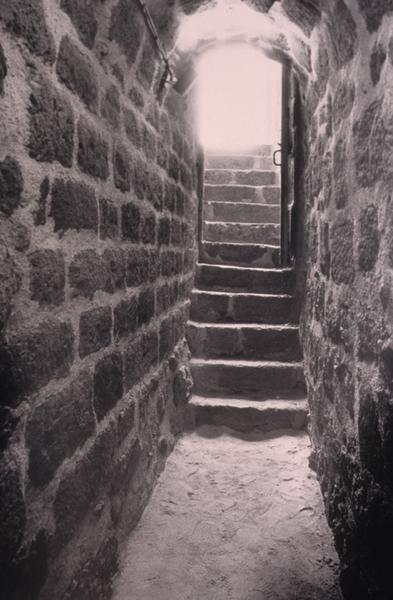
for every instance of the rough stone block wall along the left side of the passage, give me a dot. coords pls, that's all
(97, 250)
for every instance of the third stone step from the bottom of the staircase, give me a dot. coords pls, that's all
(248, 342)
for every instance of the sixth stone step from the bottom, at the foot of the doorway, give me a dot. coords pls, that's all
(241, 255)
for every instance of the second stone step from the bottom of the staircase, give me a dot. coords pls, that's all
(249, 379)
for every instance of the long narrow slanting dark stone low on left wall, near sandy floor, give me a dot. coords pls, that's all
(81, 487)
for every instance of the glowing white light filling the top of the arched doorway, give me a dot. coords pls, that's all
(238, 98)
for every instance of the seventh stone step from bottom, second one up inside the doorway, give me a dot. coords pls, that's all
(250, 233)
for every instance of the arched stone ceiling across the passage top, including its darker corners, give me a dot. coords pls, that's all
(283, 26)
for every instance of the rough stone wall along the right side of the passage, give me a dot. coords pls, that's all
(347, 318)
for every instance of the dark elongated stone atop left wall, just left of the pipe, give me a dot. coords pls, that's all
(127, 28)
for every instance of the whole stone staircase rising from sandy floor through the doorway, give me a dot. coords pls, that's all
(243, 331)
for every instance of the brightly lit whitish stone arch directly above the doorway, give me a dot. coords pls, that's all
(280, 27)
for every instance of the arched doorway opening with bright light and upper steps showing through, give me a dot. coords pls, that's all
(239, 100)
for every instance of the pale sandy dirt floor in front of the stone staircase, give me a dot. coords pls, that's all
(233, 519)
